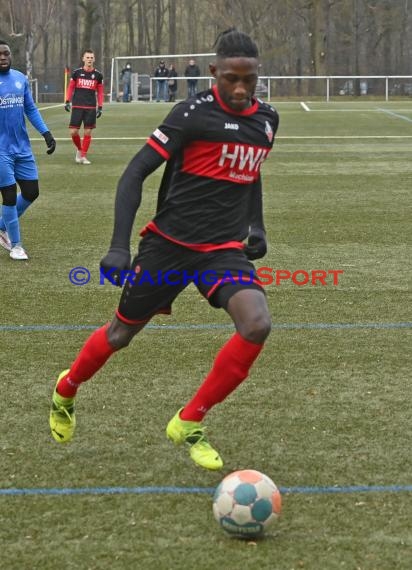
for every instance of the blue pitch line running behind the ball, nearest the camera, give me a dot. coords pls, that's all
(199, 490)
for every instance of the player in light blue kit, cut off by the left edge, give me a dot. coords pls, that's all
(17, 164)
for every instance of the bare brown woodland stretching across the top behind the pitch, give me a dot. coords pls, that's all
(319, 37)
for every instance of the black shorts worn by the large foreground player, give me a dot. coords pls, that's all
(162, 270)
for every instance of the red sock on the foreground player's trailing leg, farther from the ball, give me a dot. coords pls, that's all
(91, 358)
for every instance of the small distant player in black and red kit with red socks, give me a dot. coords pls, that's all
(85, 84)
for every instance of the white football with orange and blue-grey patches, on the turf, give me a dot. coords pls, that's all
(246, 502)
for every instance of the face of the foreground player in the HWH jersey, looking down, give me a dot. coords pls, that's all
(236, 79)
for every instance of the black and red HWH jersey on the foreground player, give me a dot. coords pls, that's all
(214, 158)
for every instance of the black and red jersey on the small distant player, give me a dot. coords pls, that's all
(85, 88)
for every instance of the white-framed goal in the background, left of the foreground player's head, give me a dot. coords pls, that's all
(143, 85)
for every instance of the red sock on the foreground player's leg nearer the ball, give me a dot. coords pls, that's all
(231, 367)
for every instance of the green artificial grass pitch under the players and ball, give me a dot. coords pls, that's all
(323, 407)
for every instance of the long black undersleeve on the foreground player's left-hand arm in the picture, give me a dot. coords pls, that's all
(129, 194)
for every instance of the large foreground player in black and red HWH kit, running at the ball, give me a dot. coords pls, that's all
(210, 201)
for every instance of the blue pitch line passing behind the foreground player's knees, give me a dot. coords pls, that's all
(210, 326)
